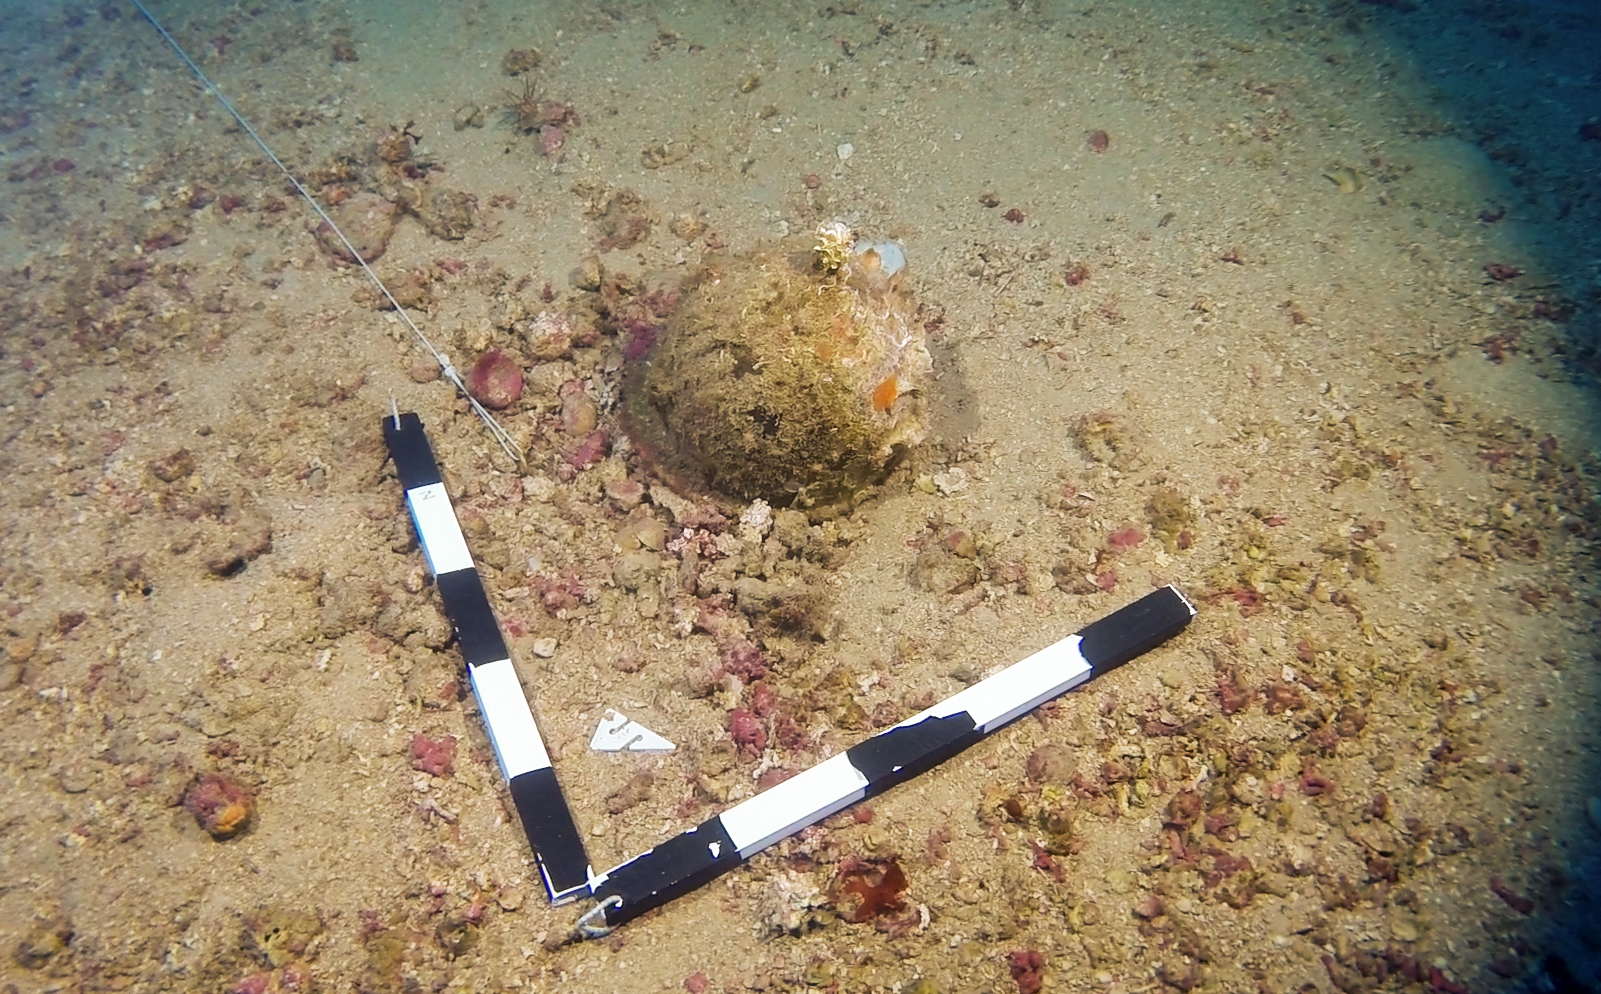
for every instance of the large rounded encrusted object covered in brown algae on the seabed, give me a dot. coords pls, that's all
(790, 375)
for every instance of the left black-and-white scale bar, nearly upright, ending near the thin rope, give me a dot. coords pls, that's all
(518, 745)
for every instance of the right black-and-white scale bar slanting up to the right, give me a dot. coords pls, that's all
(888, 760)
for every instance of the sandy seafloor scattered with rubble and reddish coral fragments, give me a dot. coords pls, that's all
(1291, 305)
